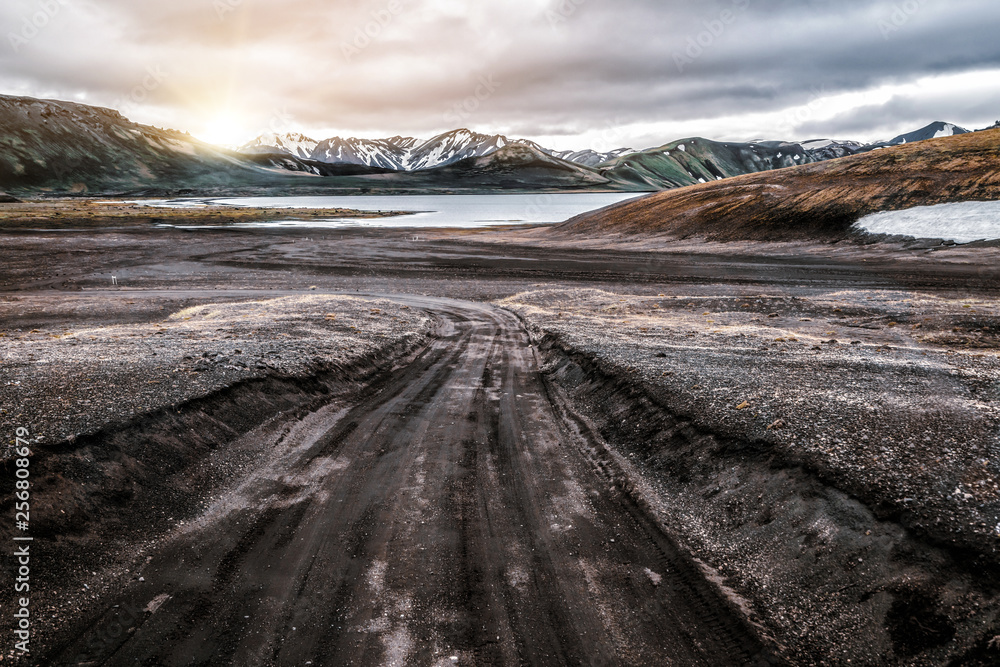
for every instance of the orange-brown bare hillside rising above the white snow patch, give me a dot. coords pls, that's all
(816, 201)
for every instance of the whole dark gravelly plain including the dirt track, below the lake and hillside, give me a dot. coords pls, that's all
(748, 454)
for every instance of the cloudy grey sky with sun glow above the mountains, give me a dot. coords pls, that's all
(567, 73)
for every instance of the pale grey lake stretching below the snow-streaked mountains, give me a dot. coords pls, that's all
(458, 211)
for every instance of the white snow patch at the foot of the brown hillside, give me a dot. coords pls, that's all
(964, 222)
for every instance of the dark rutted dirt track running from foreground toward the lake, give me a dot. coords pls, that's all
(451, 515)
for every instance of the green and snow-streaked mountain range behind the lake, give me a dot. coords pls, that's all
(54, 147)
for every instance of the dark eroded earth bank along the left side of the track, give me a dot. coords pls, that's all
(98, 500)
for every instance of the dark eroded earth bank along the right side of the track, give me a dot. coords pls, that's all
(833, 580)
